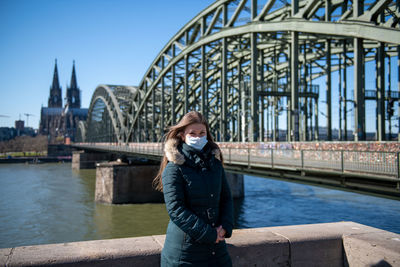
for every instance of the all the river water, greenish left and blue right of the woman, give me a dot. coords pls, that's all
(51, 203)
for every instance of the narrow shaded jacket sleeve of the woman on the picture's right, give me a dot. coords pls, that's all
(226, 207)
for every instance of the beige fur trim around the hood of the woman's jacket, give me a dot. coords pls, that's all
(173, 152)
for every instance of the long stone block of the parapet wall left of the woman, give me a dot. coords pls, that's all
(141, 251)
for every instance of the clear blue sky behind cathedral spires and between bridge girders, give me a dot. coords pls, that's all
(111, 41)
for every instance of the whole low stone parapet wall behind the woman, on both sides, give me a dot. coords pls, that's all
(330, 244)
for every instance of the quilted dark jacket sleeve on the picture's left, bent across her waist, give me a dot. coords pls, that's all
(184, 218)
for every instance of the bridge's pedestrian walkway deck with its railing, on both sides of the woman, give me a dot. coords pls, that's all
(365, 166)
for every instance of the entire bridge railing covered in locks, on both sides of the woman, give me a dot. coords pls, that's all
(385, 164)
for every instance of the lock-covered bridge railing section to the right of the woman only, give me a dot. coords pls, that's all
(363, 162)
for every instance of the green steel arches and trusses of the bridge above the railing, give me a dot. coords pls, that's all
(246, 63)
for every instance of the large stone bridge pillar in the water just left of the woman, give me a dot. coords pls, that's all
(118, 183)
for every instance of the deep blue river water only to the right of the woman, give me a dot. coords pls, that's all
(270, 202)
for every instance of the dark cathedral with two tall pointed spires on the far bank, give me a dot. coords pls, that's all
(56, 120)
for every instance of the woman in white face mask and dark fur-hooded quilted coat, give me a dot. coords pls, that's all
(197, 196)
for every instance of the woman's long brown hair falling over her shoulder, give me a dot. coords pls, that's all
(175, 132)
